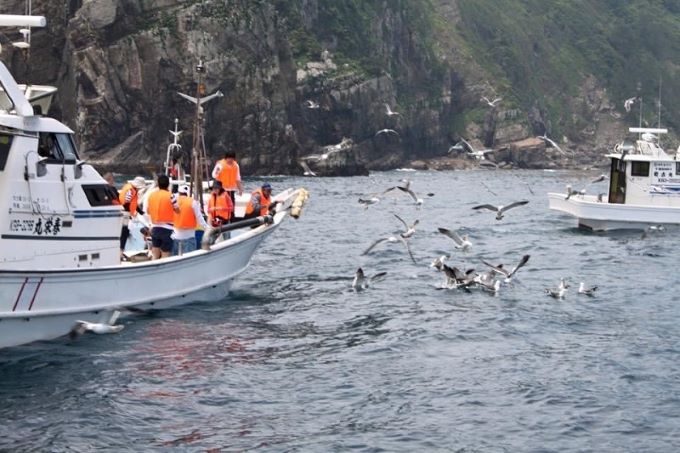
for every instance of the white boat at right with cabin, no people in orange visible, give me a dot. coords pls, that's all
(644, 188)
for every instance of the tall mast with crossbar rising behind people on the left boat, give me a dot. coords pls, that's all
(199, 160)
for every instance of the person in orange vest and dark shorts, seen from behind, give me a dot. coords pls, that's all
(161, 207)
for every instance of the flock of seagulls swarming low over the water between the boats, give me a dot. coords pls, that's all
(490, 279)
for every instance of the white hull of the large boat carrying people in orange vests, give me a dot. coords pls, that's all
(42, 305)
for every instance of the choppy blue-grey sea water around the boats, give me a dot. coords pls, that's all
(297, 361)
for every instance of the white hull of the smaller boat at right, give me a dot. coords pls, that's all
(604, 216)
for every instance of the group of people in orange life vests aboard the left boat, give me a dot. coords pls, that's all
(175, 218)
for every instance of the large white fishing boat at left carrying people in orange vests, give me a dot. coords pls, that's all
(59, 245)
